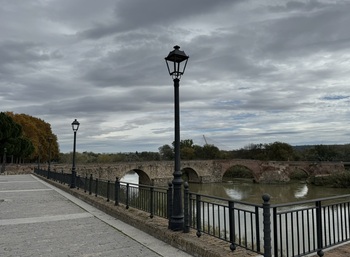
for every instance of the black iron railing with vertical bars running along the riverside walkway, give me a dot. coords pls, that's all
(280, 230)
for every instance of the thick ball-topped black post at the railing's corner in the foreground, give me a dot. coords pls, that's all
(267, 225)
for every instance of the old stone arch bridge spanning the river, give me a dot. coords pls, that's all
(203, 171)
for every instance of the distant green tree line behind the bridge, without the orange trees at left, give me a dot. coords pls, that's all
(276, 151)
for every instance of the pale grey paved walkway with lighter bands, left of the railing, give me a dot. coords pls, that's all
(37, 219)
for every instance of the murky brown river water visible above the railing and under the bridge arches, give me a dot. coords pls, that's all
(247, 191)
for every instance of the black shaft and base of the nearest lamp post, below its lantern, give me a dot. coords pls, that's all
(177, 217)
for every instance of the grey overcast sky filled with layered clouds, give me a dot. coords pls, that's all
(259, 71)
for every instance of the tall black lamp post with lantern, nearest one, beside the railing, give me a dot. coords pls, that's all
(176, 70)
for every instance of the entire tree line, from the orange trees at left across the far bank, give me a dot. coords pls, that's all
(27, 138)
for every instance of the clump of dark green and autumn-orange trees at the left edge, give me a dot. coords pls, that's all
(26, 138)
